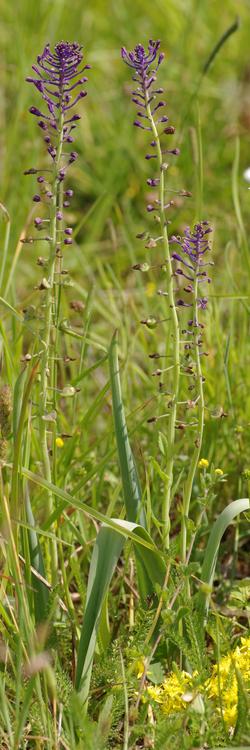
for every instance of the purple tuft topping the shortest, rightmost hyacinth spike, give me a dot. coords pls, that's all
(194, 246)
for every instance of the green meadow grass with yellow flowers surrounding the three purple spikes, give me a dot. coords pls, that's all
(105, 518)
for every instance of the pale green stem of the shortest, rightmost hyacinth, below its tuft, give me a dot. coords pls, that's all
(198, 442)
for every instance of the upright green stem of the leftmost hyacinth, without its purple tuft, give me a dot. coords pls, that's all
(48, 324)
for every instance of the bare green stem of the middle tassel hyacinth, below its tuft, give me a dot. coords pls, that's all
(176, 336)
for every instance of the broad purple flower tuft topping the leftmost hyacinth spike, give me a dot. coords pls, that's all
(58, 77)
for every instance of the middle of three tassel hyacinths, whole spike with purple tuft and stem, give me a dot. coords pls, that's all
(147, 97)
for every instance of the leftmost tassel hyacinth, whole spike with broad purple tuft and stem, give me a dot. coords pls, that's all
(58, 77)
